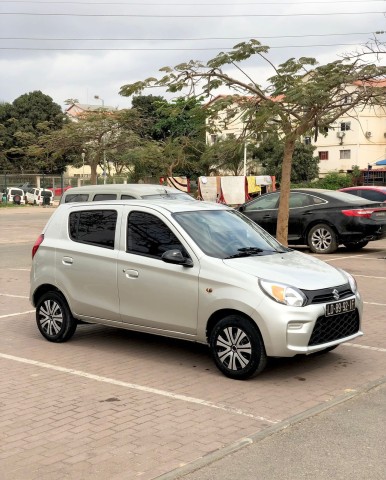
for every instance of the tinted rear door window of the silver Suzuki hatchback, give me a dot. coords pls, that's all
(95, 227)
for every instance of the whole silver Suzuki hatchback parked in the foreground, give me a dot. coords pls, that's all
(197, 271)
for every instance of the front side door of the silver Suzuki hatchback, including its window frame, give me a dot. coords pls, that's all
(153, 293)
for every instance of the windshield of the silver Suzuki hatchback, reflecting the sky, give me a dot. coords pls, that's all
(227, 234)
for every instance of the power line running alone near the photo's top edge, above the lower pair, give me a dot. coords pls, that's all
(188, 16)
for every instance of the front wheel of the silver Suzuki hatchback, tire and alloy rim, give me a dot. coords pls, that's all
(237, 348)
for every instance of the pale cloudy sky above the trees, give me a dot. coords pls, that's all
(81, 49)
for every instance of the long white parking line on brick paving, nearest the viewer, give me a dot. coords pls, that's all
(134, 386)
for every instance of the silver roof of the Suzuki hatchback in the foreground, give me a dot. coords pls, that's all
(159, 205)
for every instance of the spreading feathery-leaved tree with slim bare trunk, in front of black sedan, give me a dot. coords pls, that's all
(301, 97)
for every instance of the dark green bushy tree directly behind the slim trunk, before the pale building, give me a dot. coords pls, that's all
(305, 166)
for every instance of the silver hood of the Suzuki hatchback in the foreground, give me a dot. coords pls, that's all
(293, 268)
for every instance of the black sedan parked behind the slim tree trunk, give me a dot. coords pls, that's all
(322, 219)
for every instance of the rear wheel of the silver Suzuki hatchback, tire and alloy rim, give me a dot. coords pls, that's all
(54, 319)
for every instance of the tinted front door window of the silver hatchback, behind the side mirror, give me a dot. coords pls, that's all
(148, 235)
